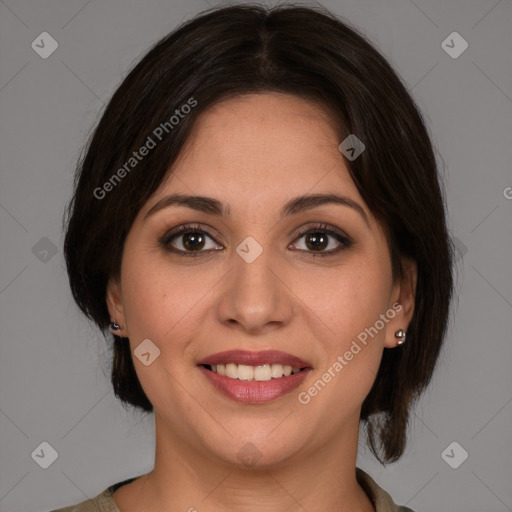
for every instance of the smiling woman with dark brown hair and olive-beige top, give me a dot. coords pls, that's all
(258, 219)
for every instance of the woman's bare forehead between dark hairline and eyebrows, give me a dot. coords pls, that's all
(265, 142)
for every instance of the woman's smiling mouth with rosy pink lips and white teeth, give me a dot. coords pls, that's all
(254, 377)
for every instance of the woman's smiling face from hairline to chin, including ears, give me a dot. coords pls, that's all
(313, 283)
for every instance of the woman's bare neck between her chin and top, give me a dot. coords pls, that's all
(320, 479)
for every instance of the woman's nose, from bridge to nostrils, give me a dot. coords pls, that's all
(256, 296)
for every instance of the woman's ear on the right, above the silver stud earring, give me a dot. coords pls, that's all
(402, 301)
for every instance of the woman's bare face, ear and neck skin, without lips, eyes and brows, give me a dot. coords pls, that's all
(254, 153)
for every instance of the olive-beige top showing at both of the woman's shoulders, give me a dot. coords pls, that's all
(104, 502)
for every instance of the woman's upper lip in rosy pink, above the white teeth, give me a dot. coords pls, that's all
(250, 358)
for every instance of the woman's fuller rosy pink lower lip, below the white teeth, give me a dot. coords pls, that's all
(254, 392)
